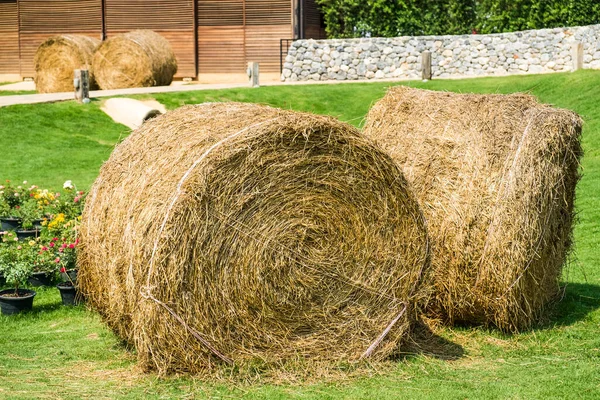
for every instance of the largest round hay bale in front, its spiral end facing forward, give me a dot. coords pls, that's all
(241, 232)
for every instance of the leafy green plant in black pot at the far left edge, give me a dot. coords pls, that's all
(16, 266)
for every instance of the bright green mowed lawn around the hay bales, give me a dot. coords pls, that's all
(54, 352)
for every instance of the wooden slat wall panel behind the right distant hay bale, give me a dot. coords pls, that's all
(173, 19)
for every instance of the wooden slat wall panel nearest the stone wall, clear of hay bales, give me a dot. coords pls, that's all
(234, 32)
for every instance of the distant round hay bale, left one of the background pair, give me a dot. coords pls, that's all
(56, 59)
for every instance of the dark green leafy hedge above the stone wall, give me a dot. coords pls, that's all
(387, 18)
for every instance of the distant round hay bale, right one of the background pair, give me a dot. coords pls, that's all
(139, 58)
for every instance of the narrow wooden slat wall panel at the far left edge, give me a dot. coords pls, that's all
(9, 37)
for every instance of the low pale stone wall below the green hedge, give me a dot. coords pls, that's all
(536, 51)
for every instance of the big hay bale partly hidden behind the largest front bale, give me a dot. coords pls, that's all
(495, 176)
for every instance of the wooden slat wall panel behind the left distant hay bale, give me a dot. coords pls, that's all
(40, 19)
